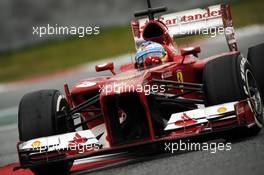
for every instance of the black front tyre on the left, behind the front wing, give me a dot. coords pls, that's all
(37, 117)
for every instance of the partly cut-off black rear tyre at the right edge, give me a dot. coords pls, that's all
(256, 60)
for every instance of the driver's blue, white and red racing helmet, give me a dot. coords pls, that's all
(150, 54)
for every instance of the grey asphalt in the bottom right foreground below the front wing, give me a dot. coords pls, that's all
(245, 158)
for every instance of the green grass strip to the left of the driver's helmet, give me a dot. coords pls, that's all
(59, 55)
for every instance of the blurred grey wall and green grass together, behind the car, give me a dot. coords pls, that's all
(24, 55)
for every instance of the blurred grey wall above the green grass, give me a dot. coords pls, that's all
(18, 17)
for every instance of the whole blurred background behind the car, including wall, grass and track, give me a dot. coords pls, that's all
(29, 63)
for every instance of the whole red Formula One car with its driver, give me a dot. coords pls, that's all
(166, 94)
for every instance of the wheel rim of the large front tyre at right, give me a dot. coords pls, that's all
(254, 96)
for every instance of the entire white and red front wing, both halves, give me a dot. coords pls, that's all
(186, 124)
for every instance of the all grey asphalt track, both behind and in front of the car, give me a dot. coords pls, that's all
(245, 157)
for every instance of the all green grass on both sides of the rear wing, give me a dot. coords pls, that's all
(55, 56)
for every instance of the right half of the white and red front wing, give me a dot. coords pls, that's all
(210, 119)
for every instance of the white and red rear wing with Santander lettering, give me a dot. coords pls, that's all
(193, 22)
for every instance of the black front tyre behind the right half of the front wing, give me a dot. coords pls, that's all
(230, 78)
